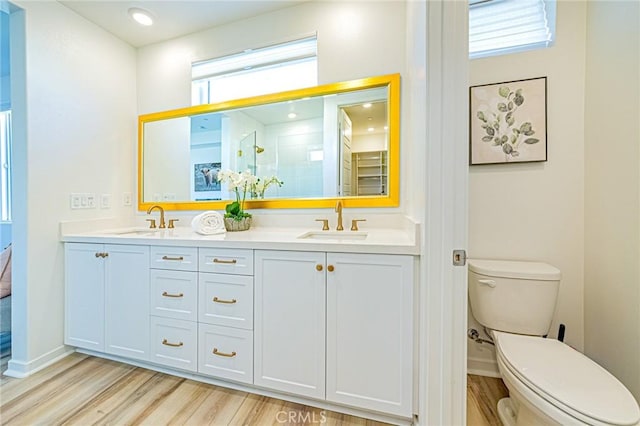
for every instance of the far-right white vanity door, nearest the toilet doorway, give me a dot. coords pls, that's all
(369, 331)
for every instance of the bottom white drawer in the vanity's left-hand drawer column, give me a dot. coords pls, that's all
(174, 343)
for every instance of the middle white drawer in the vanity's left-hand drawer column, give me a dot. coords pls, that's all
(174, 294)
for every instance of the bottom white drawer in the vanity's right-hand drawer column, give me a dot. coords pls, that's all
(225, 352)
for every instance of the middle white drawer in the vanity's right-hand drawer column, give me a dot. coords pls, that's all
(226, 300)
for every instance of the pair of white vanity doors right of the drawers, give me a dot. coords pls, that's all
(355, 308)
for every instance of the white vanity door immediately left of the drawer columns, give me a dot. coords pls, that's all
(127, 301)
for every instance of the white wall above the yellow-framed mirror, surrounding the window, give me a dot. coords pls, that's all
(355, 40)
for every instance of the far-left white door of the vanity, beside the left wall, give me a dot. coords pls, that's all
(84, 296)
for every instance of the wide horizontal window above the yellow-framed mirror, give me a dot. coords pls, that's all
(271, 69)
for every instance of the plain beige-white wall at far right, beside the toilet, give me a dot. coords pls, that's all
(612, 184)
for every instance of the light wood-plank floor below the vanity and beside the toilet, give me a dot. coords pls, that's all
(83, 390)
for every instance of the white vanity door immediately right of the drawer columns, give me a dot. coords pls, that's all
(289, 322)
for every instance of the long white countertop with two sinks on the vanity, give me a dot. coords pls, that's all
(389, 241)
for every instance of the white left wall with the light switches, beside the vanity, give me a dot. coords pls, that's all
(75, 131)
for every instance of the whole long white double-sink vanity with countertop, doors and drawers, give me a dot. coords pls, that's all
(321, 319)
